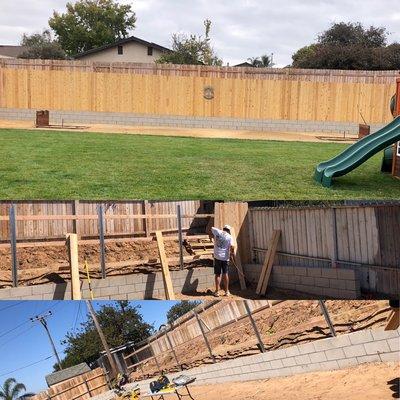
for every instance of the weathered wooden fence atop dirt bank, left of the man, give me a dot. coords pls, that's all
(38, 220)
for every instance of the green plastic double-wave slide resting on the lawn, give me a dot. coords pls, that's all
(357, 153)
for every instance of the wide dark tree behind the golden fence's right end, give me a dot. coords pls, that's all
(350, 46)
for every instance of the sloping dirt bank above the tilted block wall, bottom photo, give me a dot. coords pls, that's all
(285, 324)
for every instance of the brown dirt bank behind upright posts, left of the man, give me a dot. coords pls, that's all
(39, 265)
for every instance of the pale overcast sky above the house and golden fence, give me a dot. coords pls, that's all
(241, 28)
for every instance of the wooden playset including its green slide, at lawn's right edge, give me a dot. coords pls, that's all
(386, 139)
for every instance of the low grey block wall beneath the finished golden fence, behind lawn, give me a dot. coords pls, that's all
(89, 117)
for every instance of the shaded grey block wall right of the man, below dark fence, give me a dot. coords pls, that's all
(325, 282)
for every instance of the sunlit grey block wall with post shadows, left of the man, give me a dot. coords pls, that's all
(130, 287)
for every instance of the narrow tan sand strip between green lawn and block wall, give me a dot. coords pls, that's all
(194, 132)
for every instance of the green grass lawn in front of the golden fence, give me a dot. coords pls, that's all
(38, 164)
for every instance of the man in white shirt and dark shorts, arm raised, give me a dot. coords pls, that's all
(223, 248)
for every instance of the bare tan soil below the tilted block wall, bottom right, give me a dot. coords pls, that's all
(375, 381)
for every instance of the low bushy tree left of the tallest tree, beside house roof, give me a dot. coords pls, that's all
(41, 45)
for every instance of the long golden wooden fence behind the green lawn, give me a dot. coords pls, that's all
(271, 94)
